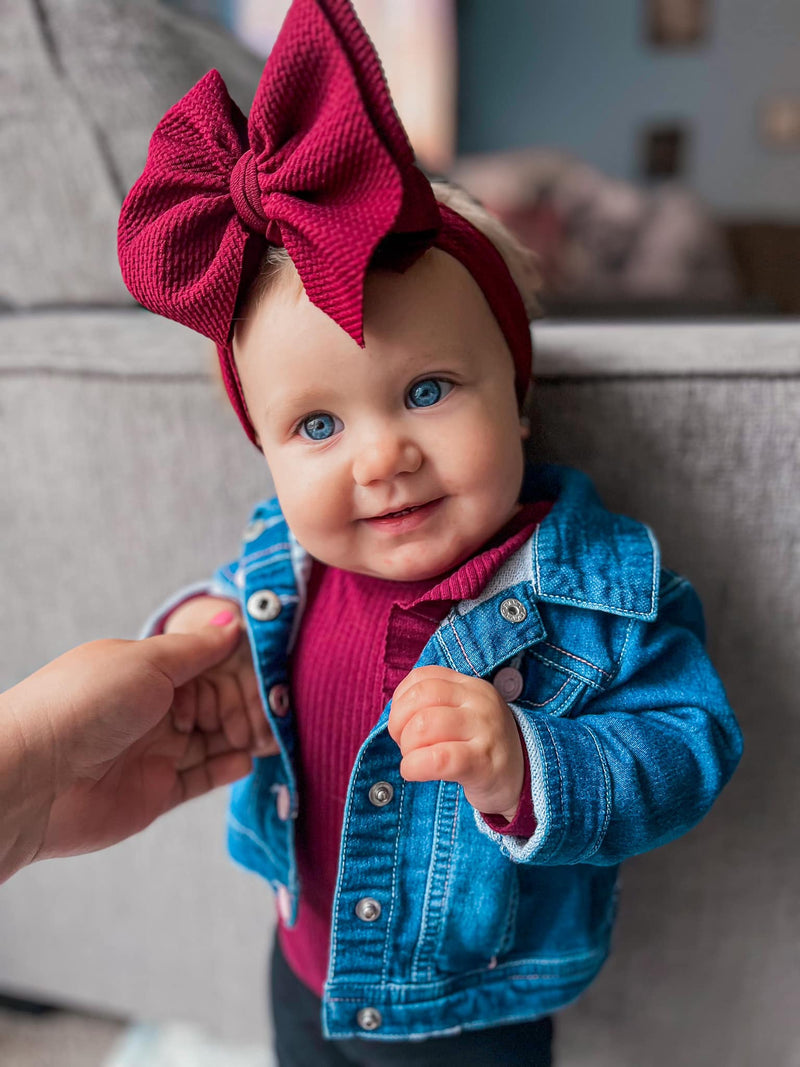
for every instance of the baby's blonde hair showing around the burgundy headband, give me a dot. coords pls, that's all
(522, 262)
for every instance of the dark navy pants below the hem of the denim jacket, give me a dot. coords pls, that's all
(299, 1041)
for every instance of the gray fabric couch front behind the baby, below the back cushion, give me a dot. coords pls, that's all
(125, 475)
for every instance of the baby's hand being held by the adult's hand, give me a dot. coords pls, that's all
(226, 698)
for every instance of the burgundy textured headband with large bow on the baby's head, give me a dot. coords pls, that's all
(323, 168)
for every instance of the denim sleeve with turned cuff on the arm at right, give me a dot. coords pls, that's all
(641, 762)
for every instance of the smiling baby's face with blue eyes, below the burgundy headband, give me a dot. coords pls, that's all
(398, 460)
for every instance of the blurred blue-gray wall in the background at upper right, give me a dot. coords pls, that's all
(579, 75)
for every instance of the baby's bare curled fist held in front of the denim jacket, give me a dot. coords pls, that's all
(458, 728)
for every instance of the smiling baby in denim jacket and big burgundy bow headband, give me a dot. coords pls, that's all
(473, 691)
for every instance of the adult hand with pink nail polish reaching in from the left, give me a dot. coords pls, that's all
(91, 750)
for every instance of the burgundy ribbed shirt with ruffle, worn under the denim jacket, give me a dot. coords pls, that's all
(360, 639)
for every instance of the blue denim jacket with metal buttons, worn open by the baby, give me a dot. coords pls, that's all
(630, 739)
